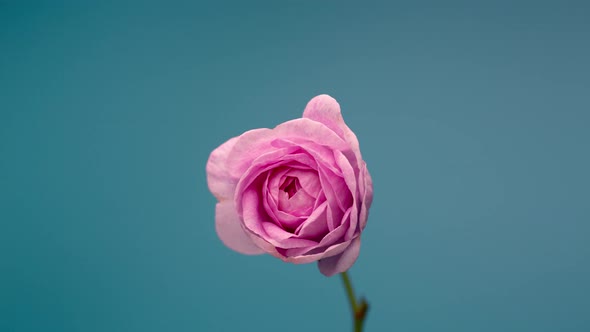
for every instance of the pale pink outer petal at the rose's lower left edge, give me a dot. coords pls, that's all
(230, 231)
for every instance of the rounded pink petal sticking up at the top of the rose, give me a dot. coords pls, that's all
(326, 110)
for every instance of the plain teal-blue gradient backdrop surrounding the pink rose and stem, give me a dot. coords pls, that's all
(473, 119)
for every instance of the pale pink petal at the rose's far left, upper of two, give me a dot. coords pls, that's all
(221, 184)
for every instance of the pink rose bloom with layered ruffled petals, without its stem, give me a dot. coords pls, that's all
(300, 192)
